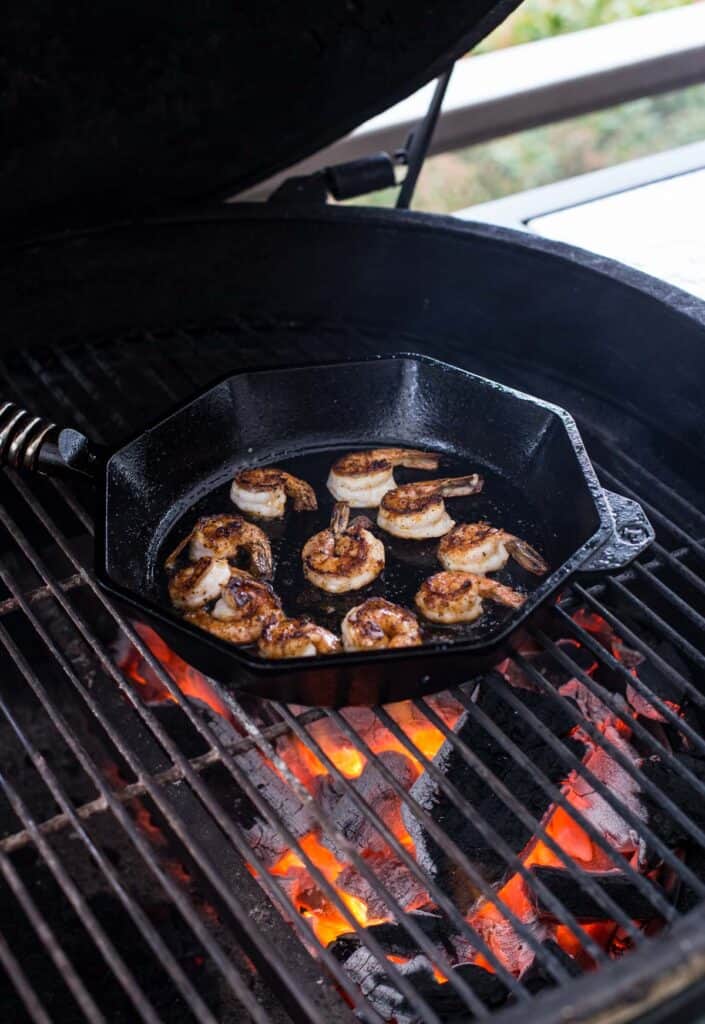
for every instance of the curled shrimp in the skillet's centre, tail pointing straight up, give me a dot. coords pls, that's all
(345, 558)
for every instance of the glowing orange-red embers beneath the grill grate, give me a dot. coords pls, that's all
(351, 761)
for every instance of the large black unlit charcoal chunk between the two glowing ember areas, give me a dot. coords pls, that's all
(522, 784)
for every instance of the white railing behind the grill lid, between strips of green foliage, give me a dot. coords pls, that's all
(537, 83)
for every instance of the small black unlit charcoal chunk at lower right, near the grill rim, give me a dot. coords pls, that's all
(614, 884)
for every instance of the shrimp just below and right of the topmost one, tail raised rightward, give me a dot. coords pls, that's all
(418, 511)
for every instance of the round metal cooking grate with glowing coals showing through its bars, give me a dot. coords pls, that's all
(530, 828)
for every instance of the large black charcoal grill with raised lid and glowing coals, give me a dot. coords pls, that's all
(172, 854)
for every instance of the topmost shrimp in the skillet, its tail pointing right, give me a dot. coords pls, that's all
(362, 479)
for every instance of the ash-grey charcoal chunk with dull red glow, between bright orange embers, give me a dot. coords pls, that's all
(351, 821)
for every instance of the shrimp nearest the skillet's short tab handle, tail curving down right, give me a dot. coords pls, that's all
(478, 547)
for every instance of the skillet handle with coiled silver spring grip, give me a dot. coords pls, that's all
(37, 446)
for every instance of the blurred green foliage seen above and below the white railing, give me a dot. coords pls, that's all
(541, 156)
